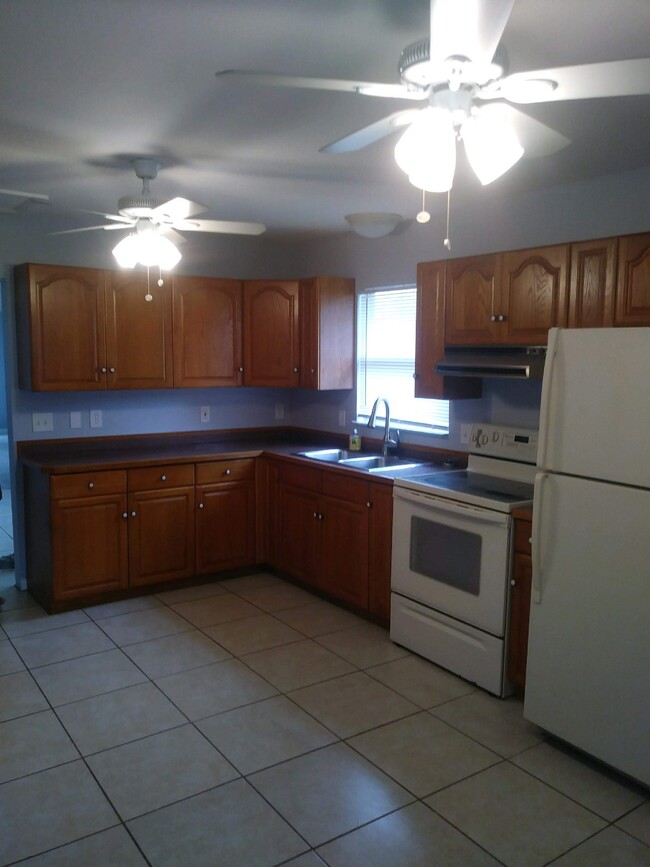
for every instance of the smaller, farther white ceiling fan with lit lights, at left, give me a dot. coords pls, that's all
(155, 224)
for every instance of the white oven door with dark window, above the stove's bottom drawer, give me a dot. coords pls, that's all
(452, 557)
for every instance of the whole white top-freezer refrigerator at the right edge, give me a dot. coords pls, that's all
(588, 672)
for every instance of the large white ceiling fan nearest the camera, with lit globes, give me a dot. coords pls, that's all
(460, 72)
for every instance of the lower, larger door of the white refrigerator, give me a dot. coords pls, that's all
(588, 673)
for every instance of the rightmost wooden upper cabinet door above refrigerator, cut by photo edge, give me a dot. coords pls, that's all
(633, 282)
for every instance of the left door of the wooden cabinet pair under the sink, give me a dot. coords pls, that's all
(298, 543)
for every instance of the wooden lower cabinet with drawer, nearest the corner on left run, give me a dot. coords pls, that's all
(225, 515)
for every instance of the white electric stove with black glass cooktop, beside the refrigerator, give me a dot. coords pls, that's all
(452, 550)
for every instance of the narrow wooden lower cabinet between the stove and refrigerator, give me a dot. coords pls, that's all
(521, 583)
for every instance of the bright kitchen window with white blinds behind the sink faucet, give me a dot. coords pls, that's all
(386, 361)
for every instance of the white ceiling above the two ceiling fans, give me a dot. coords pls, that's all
(87, 84)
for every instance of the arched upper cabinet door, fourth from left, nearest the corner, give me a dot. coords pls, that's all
(271, 338)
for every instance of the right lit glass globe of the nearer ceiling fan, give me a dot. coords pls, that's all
(491, 144)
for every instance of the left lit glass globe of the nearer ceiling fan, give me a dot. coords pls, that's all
(427, 149)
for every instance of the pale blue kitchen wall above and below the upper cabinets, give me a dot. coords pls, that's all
(610, 204)
